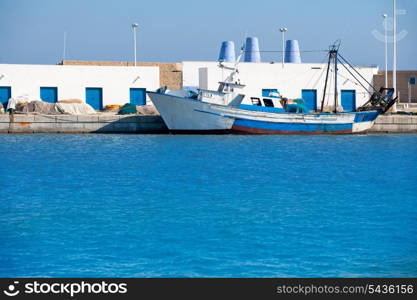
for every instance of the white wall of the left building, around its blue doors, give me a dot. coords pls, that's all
(72, 81)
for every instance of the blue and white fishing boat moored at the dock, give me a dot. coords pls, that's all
(222, 111)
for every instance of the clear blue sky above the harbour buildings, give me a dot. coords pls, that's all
(32, 31)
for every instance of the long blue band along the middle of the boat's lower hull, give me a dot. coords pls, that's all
(261, 126)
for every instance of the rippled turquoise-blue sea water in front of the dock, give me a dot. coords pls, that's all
(208, 206)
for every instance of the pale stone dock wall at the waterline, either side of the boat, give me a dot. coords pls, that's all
(31, 123)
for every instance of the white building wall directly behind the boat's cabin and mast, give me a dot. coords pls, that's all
(290, 80)
